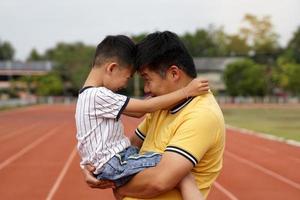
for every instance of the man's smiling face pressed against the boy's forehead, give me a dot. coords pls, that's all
(154, 84)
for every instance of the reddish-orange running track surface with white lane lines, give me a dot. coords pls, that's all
(38, 160)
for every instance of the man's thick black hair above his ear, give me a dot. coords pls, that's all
(159, 50)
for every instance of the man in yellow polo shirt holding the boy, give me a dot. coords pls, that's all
(191, 135)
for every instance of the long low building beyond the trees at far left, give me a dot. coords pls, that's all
(12, 70)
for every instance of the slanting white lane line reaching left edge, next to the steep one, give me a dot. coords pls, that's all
(27, 148)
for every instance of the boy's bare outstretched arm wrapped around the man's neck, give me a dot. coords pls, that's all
(194, 88)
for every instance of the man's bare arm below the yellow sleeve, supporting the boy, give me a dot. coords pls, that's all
(154, 181)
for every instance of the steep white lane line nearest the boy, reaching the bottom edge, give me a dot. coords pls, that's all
(61, 175)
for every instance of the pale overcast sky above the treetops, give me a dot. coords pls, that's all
(41, 24)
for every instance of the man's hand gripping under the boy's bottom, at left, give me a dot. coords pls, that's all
(92, 181)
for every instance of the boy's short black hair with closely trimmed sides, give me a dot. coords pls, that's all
(120, 47)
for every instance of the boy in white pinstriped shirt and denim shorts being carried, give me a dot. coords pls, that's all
(101, 139)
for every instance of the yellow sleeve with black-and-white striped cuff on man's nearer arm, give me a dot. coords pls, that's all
(194, 136)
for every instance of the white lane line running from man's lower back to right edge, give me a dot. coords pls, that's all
(265, 170)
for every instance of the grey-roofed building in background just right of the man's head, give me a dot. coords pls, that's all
(212, 70)
